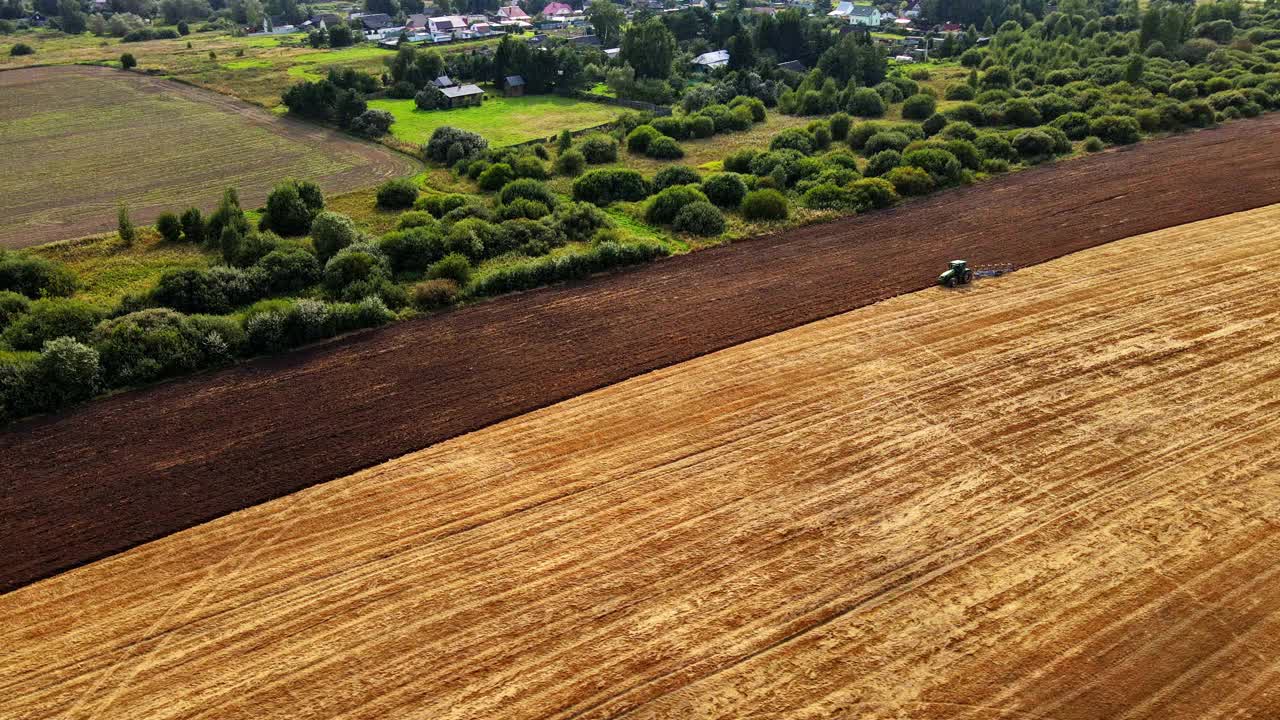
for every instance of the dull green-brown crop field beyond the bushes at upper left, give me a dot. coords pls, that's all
(79, 140)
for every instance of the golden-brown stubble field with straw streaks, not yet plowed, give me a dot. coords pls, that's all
(1052, 496)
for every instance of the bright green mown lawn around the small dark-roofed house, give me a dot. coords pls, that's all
(504, 121)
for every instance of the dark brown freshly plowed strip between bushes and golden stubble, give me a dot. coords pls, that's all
(141, 466)
